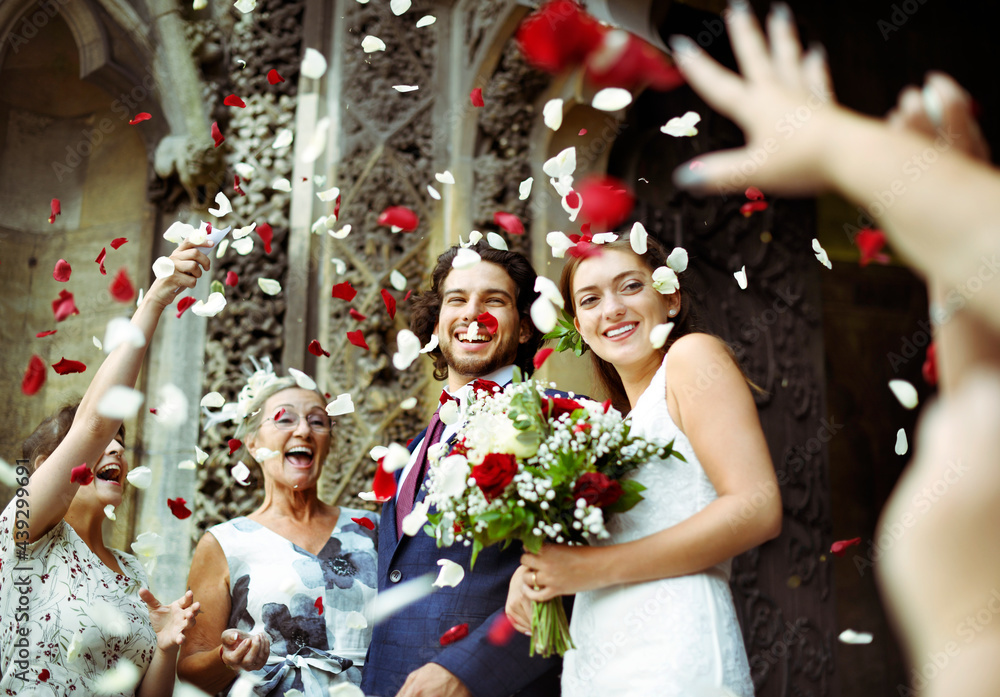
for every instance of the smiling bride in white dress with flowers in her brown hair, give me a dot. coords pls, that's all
(653, 613)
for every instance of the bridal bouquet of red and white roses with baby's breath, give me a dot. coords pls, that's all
(533, 467)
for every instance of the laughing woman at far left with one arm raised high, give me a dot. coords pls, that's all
(73, 609)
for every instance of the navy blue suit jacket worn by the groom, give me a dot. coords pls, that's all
(411, 638)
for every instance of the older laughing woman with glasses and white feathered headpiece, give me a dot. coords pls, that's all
(283, 590)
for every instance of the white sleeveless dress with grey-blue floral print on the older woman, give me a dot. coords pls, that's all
(313, 607)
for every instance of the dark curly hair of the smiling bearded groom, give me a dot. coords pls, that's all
(426, 307)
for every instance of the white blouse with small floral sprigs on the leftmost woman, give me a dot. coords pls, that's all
(65, 617)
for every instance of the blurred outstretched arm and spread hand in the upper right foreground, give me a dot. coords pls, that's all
(800, 141)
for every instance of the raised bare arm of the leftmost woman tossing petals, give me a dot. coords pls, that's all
(50, 489)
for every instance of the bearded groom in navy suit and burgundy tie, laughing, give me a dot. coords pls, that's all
(406, 657)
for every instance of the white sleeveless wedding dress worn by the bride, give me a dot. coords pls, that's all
(676, 637)
